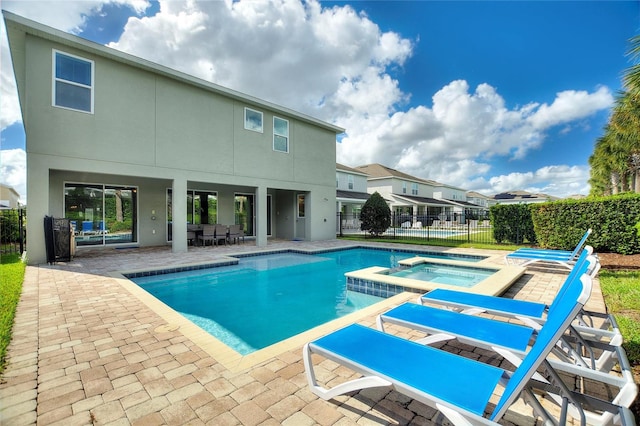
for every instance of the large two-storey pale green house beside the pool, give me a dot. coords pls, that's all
(132, 152)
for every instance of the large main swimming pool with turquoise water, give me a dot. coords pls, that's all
(264, 299)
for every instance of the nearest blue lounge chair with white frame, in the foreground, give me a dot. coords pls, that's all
(442, 380)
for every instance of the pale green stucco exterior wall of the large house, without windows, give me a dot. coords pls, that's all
(155, 128)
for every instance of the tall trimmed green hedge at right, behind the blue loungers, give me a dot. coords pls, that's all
(615, 222)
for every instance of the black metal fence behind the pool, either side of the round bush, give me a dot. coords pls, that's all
(423, 228)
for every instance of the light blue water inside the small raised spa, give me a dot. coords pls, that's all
(460, 276)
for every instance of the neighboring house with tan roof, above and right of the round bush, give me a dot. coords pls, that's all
(410, 198)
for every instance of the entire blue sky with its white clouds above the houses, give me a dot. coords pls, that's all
(486, 96)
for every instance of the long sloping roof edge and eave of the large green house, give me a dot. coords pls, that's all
(18, 27)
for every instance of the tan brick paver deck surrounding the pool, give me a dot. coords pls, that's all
(85, 350)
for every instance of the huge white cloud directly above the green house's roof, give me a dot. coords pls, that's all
(329, 63)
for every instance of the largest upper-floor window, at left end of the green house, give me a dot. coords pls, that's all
(72, 82)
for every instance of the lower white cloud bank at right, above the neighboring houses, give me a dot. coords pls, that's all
(452, 141)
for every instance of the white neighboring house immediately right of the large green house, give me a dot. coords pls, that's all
(351, 194)
